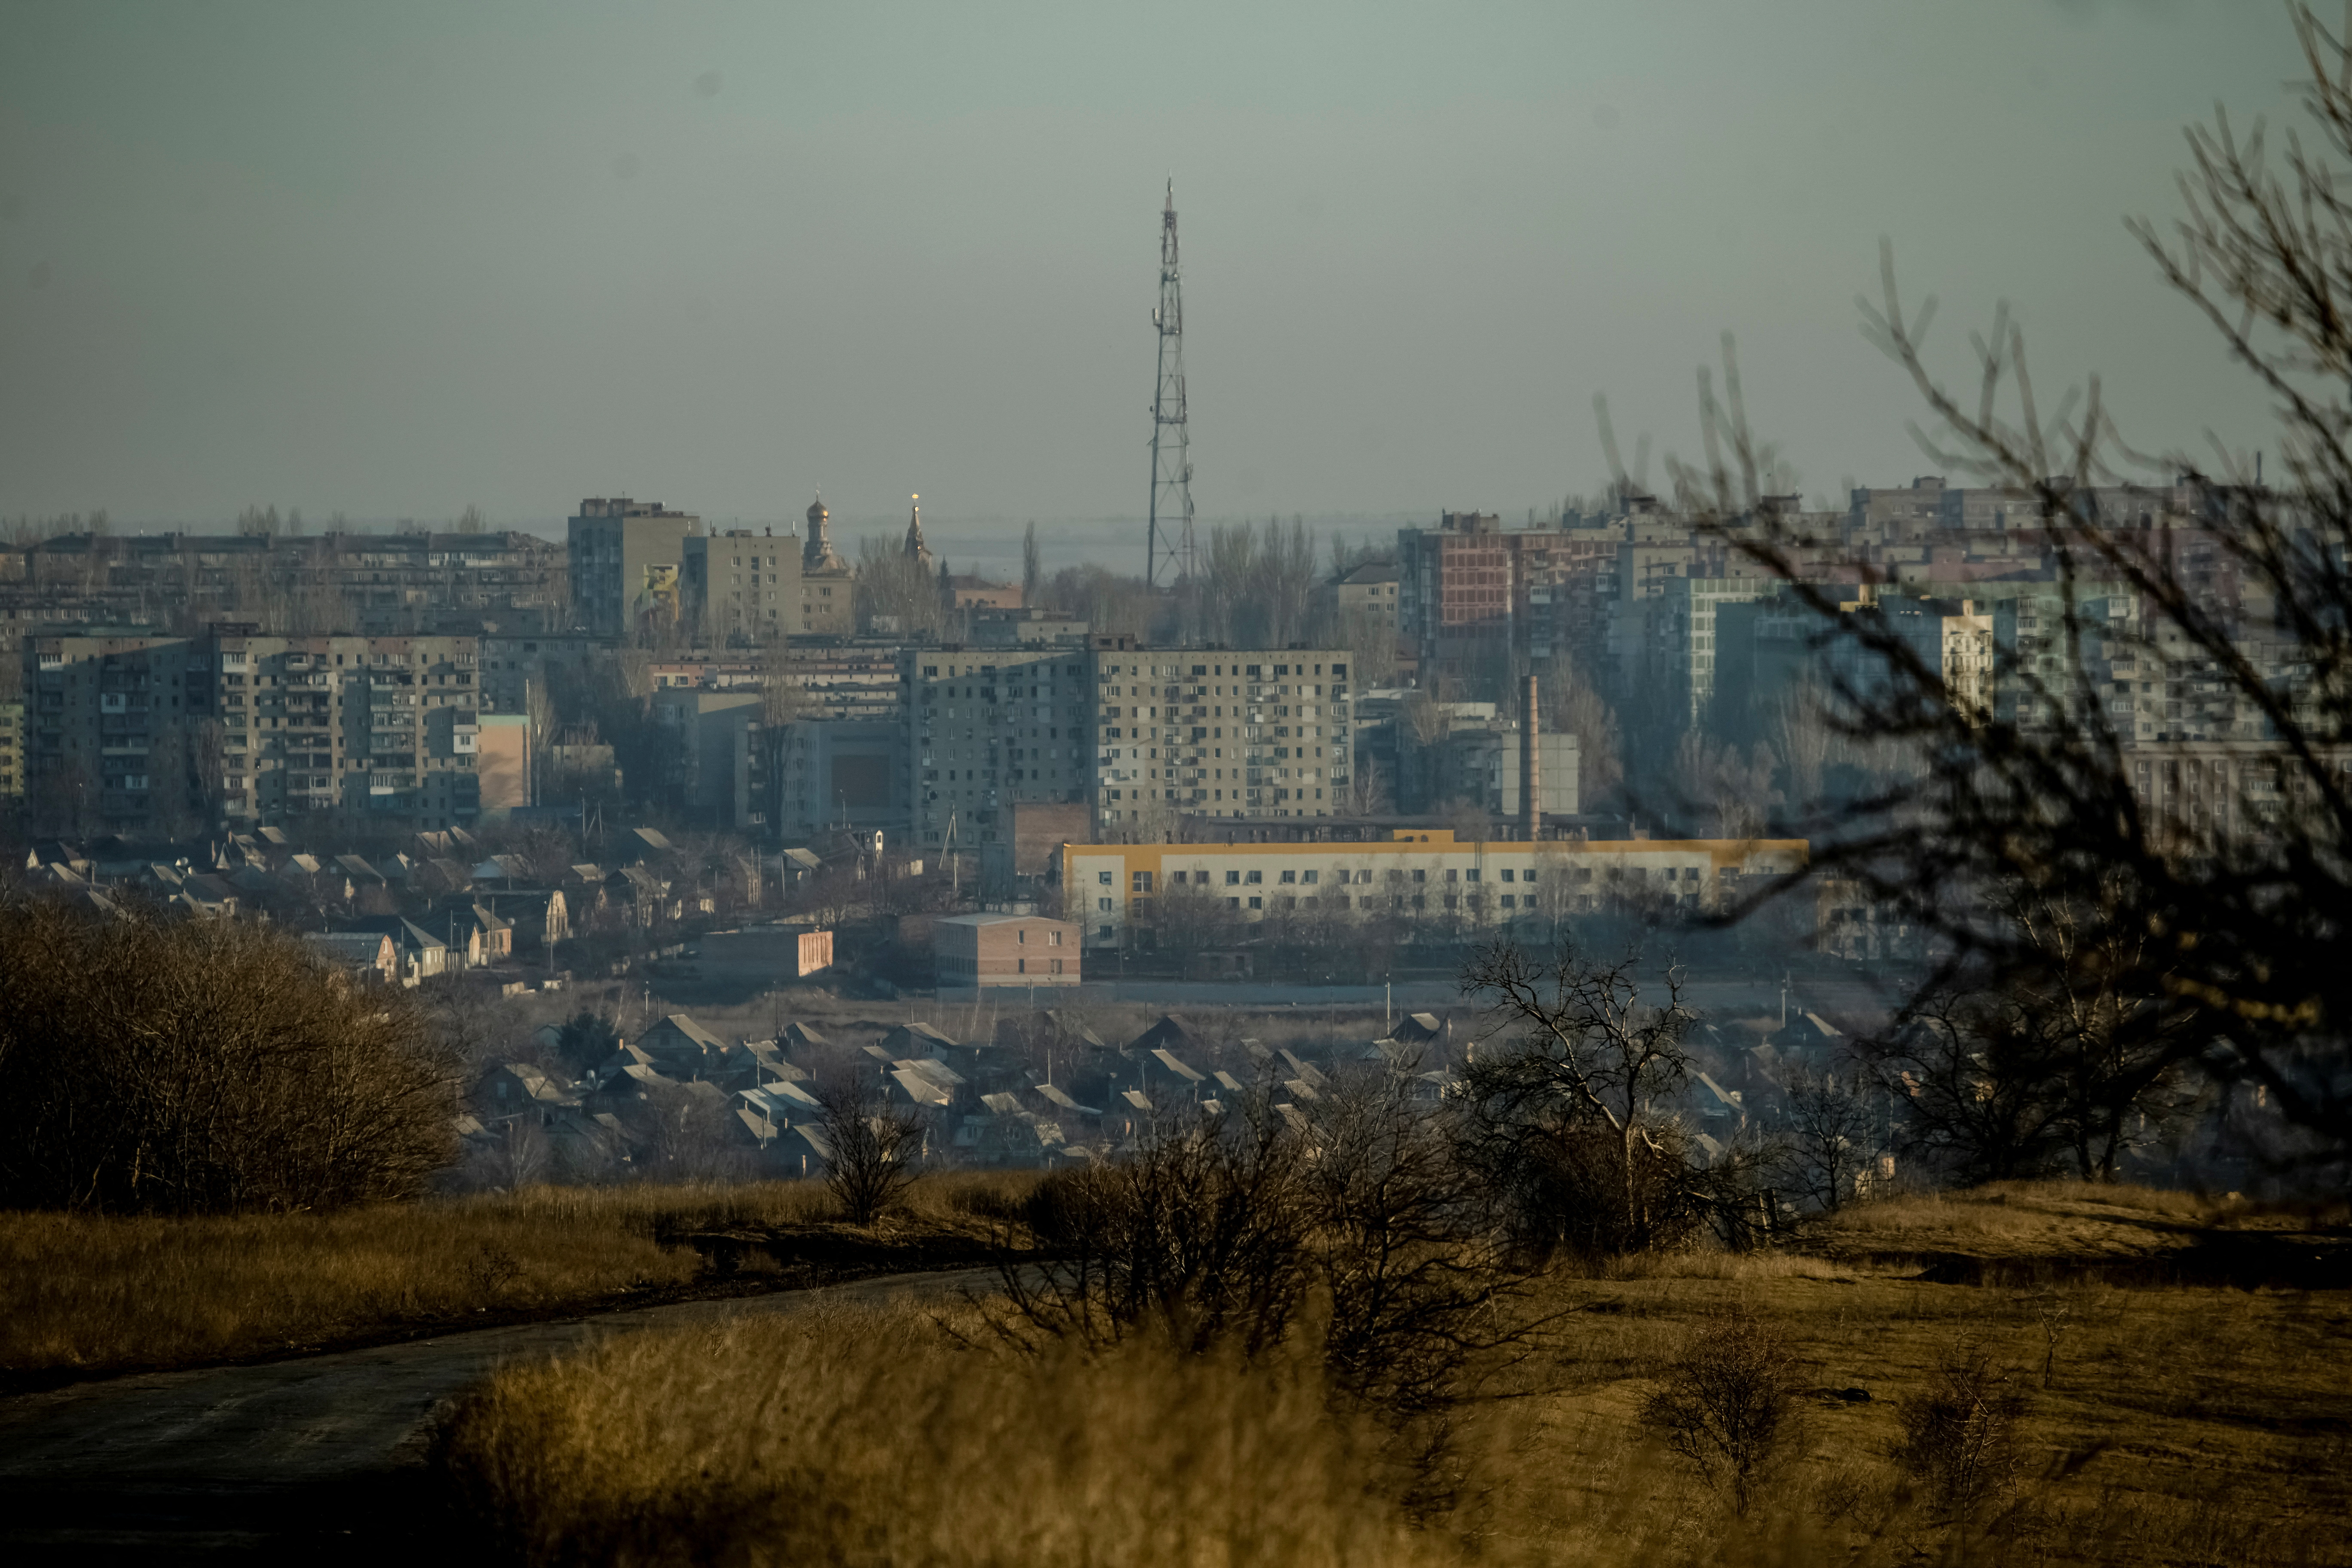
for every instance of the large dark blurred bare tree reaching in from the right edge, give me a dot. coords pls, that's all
(2214, 582)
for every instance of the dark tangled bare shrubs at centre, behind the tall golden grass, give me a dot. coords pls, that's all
(1347, 1221)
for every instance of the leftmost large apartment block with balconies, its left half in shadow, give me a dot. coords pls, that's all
(156, 737)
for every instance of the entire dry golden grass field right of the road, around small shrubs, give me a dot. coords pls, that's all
(2160, 1423)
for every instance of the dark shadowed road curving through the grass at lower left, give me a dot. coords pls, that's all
(312, 1461)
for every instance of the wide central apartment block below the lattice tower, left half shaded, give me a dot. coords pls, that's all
(1144, 735)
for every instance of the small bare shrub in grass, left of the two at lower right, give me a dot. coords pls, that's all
(1728, 1402)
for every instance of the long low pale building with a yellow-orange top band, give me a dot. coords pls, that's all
(1419, 876)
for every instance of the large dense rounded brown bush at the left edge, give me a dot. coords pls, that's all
(203, 1068)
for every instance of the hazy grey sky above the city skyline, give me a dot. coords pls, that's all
(396, 260)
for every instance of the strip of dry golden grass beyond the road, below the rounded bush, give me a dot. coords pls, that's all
(91, 1294)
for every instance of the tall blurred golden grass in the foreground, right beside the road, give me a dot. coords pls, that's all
(871, 1438)
